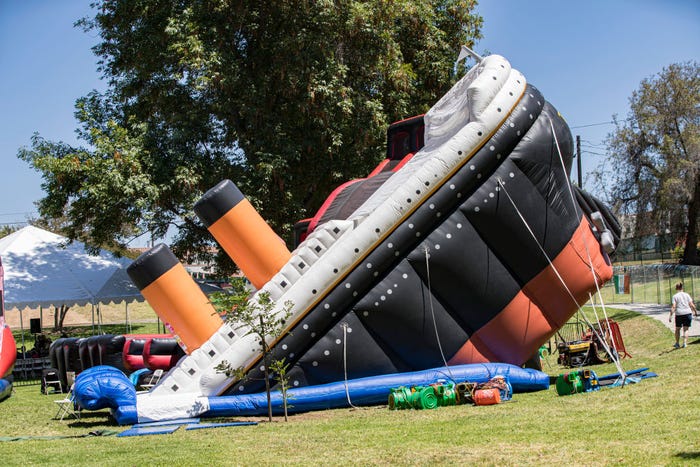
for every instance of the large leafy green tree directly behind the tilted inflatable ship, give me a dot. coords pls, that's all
(286, 98)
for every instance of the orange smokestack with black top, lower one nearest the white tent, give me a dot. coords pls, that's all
(175, 296)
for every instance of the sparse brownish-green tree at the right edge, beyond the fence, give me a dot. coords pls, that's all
(656, 155)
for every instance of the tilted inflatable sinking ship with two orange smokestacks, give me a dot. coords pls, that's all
(467, 245)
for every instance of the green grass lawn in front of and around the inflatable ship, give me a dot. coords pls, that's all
(654, 422)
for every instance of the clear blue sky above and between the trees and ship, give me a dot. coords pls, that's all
(586, 57)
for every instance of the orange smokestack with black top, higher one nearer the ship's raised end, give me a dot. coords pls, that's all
(242, 233)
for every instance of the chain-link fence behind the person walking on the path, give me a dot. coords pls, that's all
(652, 283)
